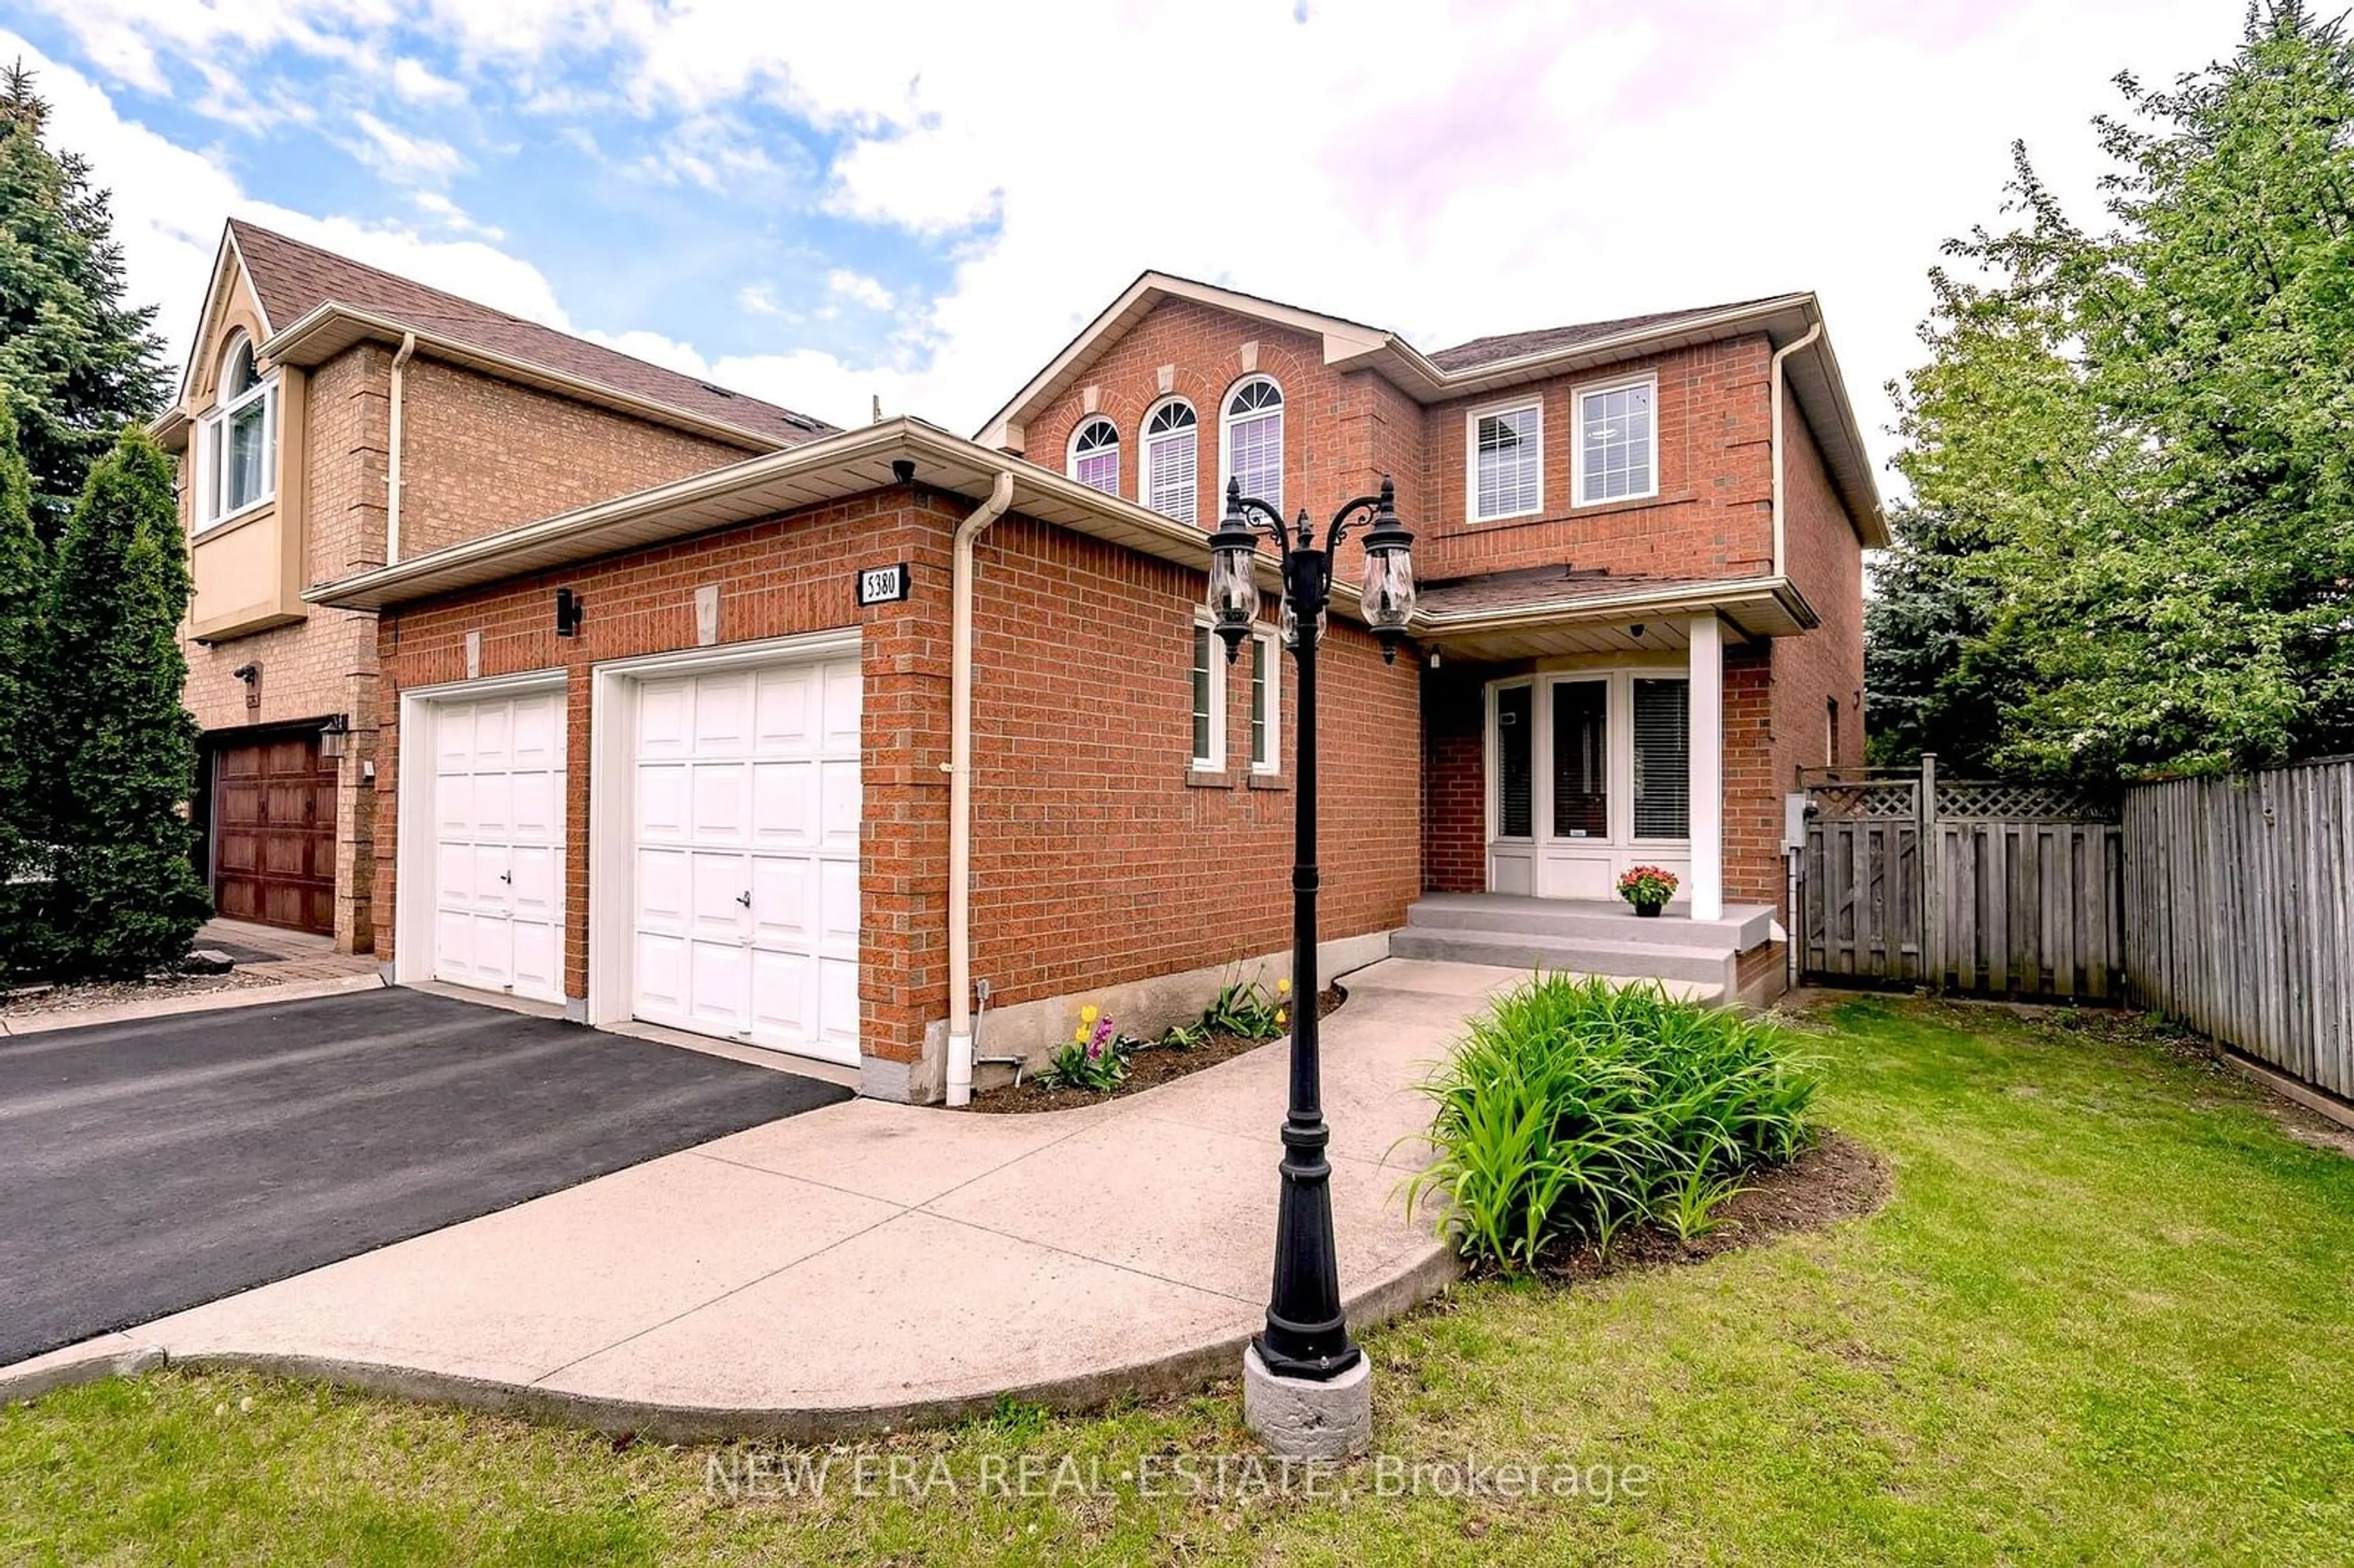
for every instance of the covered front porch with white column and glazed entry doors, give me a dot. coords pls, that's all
(1581, 726)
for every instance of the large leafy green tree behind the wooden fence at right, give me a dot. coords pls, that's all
(2132, 446)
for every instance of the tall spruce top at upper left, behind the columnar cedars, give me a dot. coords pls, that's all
(81, 361)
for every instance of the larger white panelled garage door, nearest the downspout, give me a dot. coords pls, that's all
(747, 856)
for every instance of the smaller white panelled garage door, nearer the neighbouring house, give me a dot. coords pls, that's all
(500, 844)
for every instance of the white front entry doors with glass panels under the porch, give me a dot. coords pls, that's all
(1590, 776)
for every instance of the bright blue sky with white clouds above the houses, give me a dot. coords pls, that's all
(827, 204)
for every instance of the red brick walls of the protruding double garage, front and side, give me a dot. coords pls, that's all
(1098, 858)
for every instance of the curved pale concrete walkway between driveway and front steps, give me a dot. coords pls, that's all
(872, 1265)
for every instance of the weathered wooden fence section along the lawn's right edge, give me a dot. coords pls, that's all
(2240, 912)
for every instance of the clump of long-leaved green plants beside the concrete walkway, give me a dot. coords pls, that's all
(1578, 1108)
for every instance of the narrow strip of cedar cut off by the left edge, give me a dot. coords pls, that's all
(22, 578)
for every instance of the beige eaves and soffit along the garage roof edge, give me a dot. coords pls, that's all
(825, 470)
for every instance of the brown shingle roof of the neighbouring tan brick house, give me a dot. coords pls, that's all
(295, 279)
